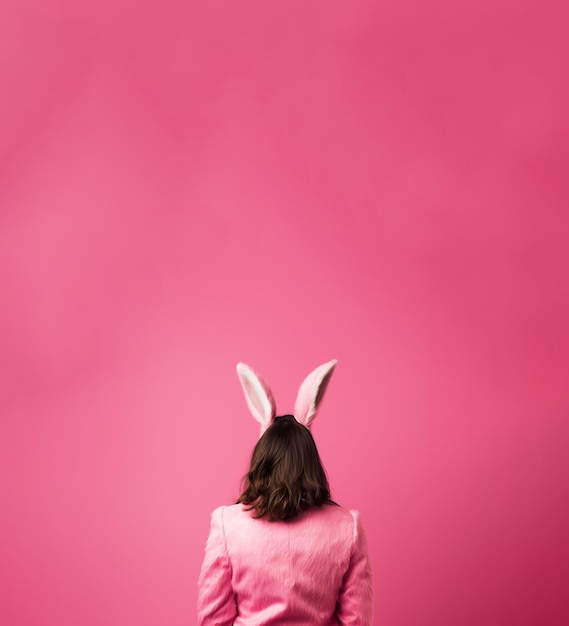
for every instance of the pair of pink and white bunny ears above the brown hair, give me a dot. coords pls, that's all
(262, 404)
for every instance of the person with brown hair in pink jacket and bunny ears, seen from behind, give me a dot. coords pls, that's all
(285, 553)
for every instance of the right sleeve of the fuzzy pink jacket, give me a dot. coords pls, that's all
(355, 602)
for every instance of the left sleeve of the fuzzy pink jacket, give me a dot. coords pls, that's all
(216, 602)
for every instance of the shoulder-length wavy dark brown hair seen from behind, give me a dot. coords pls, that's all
(286, 475)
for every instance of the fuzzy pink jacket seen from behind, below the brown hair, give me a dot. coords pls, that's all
(313, 570)
